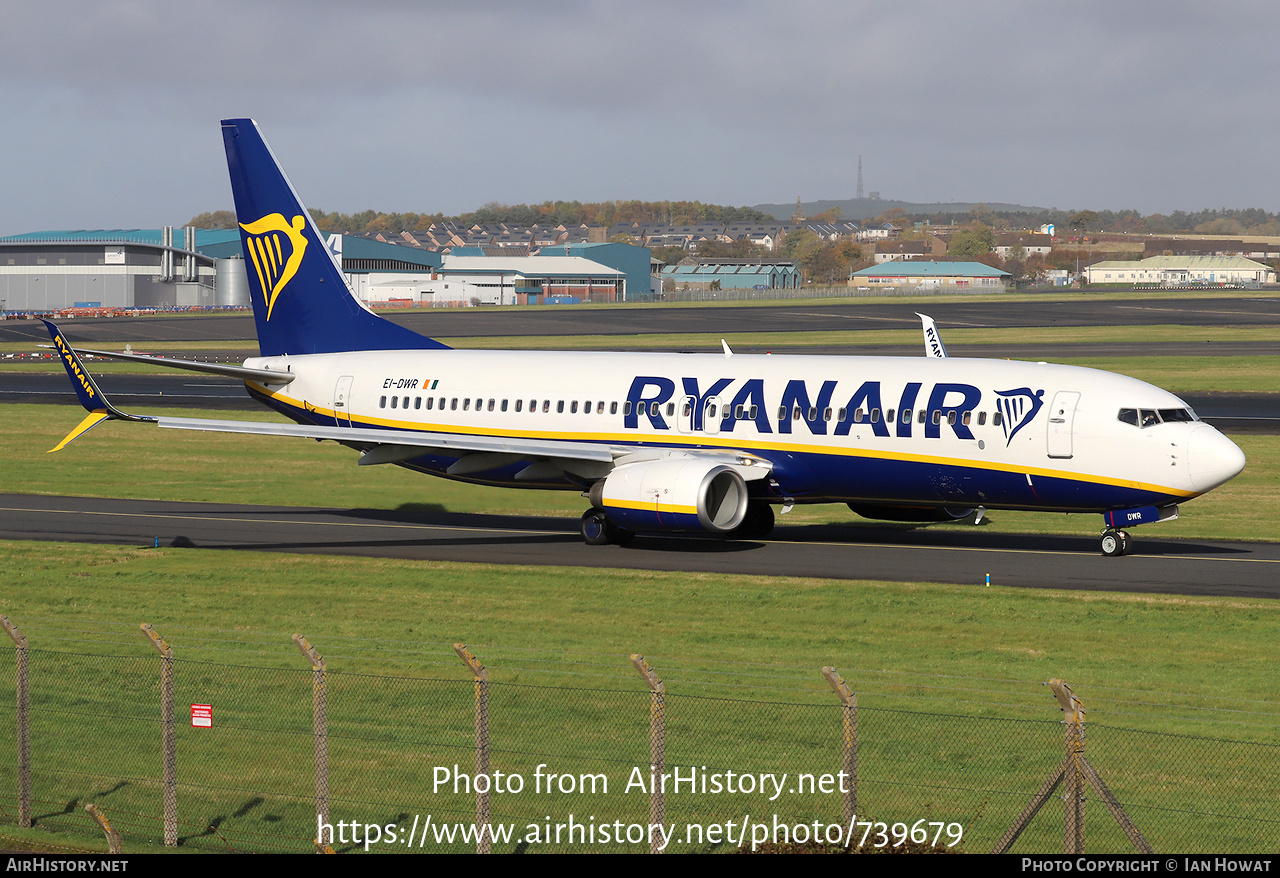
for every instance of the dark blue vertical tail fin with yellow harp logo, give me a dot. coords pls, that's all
(301, 300)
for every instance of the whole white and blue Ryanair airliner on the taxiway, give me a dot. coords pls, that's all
(678, 442)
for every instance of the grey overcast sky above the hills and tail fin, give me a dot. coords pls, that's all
(111, 109)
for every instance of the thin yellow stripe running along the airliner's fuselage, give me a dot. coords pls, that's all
(739, 443)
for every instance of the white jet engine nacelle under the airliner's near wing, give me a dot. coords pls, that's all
(673, 495)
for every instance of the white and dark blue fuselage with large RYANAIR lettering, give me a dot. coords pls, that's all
(890, 431)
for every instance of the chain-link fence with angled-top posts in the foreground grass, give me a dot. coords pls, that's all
(268, 758)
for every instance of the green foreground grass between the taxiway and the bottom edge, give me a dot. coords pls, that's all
(956, 721)
